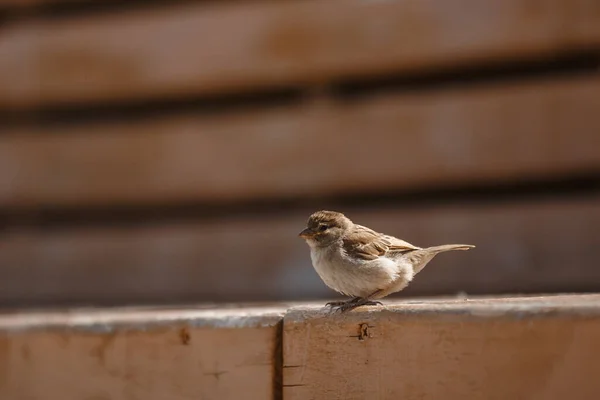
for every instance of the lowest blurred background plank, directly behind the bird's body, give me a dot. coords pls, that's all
(538, 246)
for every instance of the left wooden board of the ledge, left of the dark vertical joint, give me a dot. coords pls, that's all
(132, 354)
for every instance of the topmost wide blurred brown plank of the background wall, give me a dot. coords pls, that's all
(194, 49)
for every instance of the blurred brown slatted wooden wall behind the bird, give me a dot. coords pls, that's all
(163, 152)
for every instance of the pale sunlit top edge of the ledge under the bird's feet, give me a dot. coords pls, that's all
(100, 320)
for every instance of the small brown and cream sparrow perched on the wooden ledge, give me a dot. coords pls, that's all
(360, 263)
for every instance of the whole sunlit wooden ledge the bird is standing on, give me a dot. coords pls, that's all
(537, 347)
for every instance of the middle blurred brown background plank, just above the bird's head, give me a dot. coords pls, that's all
(515, 132)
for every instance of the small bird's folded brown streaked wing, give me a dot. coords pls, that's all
(366, 244)
